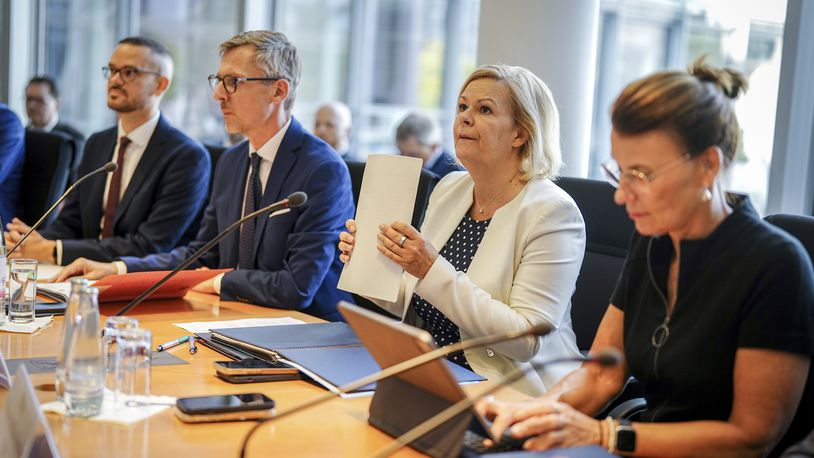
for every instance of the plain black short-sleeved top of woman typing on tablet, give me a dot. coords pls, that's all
(748, 284)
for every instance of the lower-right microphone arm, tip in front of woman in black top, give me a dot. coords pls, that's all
(609, 357)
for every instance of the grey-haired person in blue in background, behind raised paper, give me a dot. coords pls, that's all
(418, 136)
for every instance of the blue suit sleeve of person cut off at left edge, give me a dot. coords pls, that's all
(12, 157)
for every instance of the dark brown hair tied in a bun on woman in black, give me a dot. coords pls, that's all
(696, 106)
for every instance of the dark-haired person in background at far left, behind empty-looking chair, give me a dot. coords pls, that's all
(42, 107)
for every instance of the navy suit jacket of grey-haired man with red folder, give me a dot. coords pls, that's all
(297, 262)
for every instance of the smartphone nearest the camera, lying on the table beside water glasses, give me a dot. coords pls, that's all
(229, 407)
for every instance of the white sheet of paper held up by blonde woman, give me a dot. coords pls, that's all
(388, 192)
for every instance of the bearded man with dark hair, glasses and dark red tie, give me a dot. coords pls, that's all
(154, 201)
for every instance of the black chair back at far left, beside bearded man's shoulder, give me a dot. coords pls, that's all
(48, 159)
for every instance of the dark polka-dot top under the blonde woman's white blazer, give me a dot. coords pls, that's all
(459, 251)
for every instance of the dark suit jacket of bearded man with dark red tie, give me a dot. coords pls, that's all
(160, 208)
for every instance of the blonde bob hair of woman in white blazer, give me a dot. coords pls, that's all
(535, 114)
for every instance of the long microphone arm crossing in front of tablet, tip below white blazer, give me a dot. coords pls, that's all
(537, 330)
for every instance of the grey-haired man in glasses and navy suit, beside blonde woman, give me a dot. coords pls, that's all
(290, 260)
